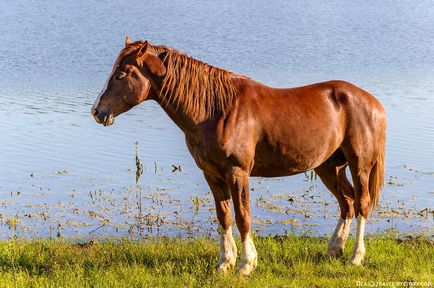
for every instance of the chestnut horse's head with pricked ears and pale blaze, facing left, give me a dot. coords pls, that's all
(131, 82)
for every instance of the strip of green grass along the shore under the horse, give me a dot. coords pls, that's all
(285, 262)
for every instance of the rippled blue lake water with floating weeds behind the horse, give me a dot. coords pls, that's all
(63, 174)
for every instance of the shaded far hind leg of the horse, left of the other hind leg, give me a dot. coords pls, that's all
(332, 174)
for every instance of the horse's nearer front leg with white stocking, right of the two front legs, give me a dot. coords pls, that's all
(238, 180)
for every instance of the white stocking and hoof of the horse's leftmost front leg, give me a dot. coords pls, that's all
(228, 250)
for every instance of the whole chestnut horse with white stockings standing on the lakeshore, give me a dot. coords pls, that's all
(236, 127)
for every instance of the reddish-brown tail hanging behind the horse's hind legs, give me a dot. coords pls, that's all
(376, 177)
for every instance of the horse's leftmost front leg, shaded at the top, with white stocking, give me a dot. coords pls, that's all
(222, 197)
